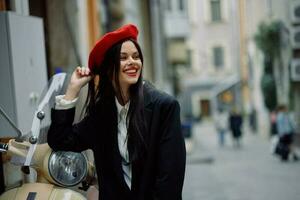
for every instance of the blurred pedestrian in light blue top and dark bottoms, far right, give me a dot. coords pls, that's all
(286, 130)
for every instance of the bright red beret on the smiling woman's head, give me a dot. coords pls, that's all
(108, 40)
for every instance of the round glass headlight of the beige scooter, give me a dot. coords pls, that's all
(67, 168)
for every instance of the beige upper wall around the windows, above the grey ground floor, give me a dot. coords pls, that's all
(205, 35)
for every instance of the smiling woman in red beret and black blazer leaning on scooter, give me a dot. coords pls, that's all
(140, 153)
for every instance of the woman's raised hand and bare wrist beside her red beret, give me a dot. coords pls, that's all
(80, 77)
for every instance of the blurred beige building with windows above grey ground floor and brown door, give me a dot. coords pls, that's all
(213, 80)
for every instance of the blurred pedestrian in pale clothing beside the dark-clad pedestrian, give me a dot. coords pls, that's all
(221, 124)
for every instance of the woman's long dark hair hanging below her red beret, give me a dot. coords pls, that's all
(102, 91)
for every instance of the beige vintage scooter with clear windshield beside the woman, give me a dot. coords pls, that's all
(47, 174)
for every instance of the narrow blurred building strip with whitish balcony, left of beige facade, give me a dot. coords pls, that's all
(176, 31)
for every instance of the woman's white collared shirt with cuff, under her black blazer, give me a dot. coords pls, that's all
(62, 104)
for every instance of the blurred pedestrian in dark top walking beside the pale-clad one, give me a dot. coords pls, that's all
(235, 124)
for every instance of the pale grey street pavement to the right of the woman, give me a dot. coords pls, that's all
(246, 173)
